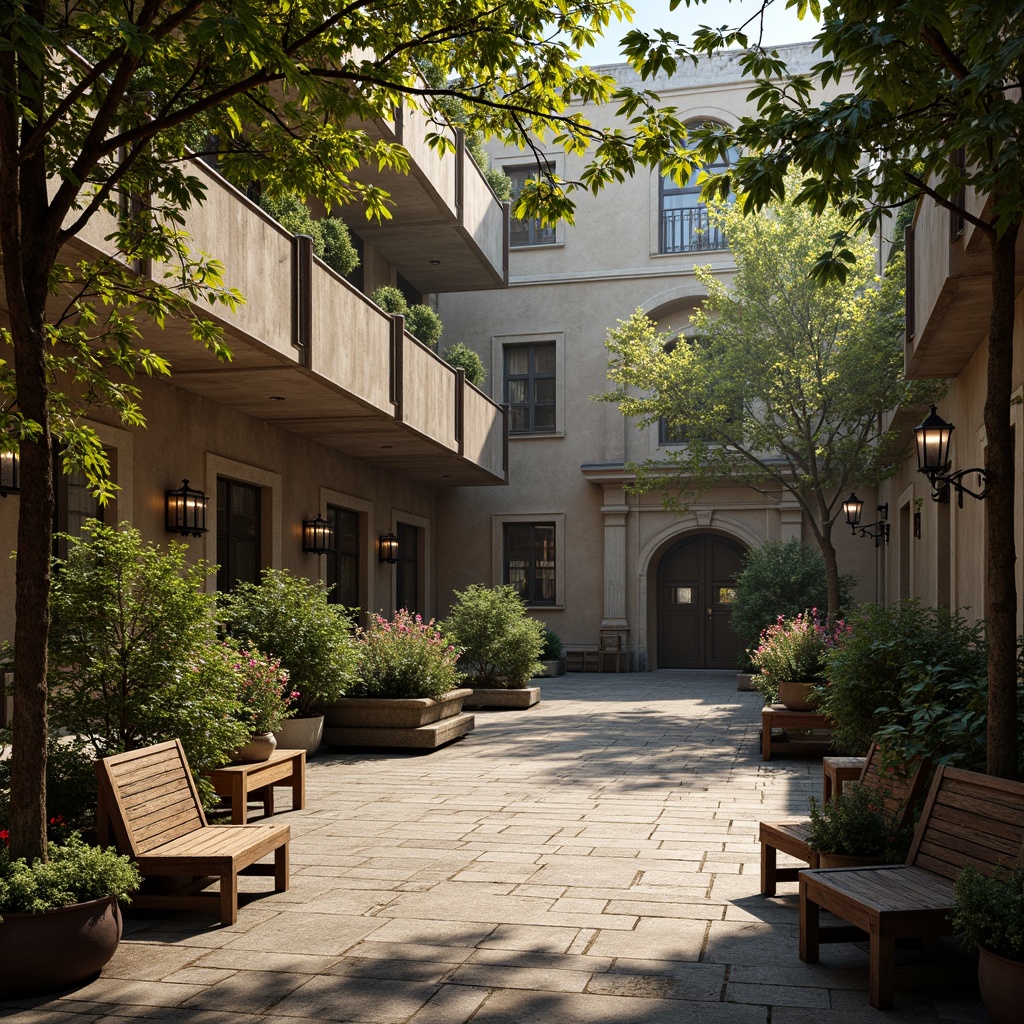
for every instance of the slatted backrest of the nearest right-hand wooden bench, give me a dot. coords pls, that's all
(970, 820)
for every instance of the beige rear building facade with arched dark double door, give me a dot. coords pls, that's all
(593, 560)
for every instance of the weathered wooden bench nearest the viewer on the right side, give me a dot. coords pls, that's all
(968, 820)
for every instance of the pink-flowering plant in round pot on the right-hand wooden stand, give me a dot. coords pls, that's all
(791, 660)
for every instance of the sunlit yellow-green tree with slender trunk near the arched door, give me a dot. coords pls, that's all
(786, 381)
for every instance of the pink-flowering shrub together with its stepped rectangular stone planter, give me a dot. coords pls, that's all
(406, 690)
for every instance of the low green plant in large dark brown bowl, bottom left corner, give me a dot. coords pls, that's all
(60, 920)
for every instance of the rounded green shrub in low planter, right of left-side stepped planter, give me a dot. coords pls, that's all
(501, 645)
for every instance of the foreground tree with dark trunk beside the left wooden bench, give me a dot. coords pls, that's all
(100, 105)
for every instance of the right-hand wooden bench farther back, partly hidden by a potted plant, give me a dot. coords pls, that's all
(902, 792)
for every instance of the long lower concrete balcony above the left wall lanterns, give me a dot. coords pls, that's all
(315, 357)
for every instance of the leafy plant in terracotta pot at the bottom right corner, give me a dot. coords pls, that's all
(989, 913)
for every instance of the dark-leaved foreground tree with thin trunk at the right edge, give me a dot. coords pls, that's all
(933, 110)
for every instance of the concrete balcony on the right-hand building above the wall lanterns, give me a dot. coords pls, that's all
(949, 290)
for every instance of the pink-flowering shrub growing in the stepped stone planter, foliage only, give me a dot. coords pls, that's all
(405, 658)
